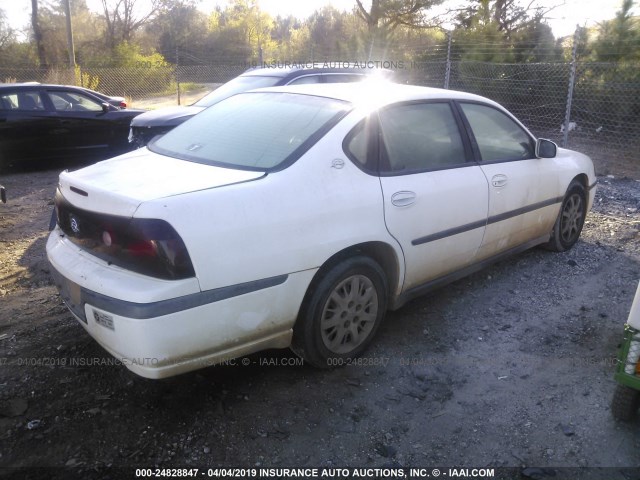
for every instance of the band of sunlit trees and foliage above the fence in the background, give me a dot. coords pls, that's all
(176, 32)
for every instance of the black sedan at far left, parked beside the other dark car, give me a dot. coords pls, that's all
(41, 123)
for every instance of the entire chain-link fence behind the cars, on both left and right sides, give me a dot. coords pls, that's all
(603, 120)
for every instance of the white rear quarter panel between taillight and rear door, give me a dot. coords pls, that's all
(285, 222)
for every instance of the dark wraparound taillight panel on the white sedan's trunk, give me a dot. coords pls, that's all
(147, 246)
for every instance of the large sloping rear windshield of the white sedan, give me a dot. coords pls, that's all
(253, 131)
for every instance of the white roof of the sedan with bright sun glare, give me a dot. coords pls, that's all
(377, 94)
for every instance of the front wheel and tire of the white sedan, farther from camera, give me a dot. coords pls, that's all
(570, 221)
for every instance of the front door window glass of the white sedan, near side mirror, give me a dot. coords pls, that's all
(498, 136)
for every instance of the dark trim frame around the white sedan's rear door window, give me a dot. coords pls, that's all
(468, 152)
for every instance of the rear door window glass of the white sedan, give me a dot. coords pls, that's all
(420, 137)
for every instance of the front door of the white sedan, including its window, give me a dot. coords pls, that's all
(523, 189)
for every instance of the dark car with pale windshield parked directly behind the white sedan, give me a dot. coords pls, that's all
(158, 122)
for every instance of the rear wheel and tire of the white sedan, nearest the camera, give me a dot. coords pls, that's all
(341, 313)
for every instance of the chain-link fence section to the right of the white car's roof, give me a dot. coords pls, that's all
(595, 111)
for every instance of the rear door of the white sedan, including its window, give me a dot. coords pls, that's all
(435, 198)
